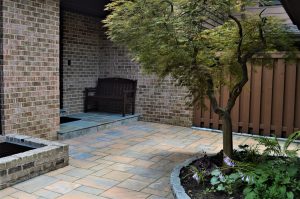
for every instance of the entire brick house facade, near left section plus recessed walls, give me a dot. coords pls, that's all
(30, 42)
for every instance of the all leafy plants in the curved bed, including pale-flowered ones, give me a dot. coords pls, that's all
(273, 174)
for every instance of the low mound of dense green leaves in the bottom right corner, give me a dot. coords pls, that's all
(274, 180)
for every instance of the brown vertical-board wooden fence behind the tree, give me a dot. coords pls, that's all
(269, 103)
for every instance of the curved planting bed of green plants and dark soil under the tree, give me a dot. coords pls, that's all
(272, 174)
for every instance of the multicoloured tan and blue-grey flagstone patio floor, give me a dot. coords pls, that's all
(131, 161)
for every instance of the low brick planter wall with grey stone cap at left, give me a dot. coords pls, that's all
(46, 157)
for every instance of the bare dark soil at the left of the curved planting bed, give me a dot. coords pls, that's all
(199, 190)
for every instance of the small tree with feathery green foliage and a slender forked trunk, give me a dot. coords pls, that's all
(200, 43)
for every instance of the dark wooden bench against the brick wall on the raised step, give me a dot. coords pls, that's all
(111, 95)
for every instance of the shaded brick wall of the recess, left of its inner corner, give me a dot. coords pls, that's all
(80, 44)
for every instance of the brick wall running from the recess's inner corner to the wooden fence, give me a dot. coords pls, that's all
(157, 101)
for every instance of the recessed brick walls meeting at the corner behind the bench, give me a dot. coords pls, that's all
(92, 55)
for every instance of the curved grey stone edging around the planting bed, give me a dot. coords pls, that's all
(177, 190)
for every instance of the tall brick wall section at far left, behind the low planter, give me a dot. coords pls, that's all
(30, 67)
